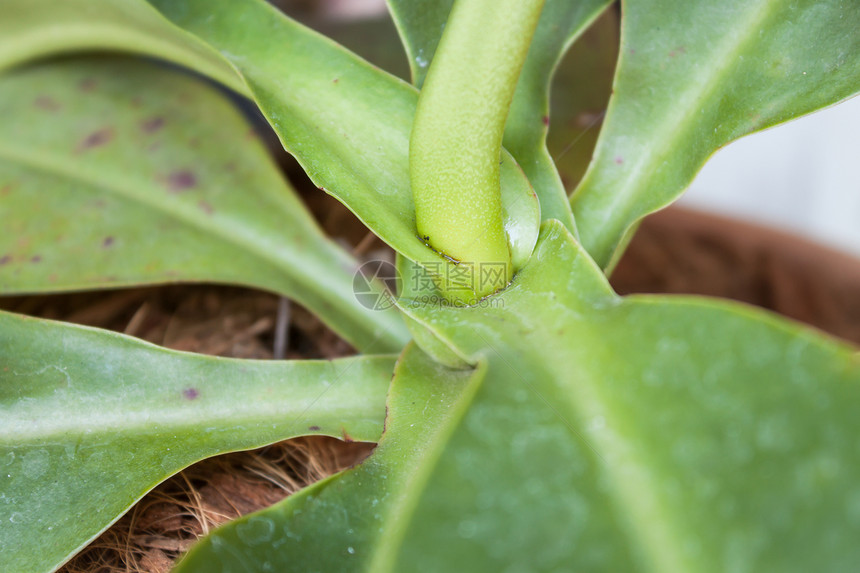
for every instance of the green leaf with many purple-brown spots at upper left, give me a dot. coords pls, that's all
(113, 173)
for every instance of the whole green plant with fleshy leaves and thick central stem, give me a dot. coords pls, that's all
(538, 422)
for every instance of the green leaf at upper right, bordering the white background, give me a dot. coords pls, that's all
(693, 76)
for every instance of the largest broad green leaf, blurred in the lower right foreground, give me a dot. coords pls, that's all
(609, 434)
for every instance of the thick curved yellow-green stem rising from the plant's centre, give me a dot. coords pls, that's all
(457, 136)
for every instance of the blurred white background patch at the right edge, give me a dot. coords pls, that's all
(802, 176)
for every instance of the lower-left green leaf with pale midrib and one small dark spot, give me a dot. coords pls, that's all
(92, 420)
